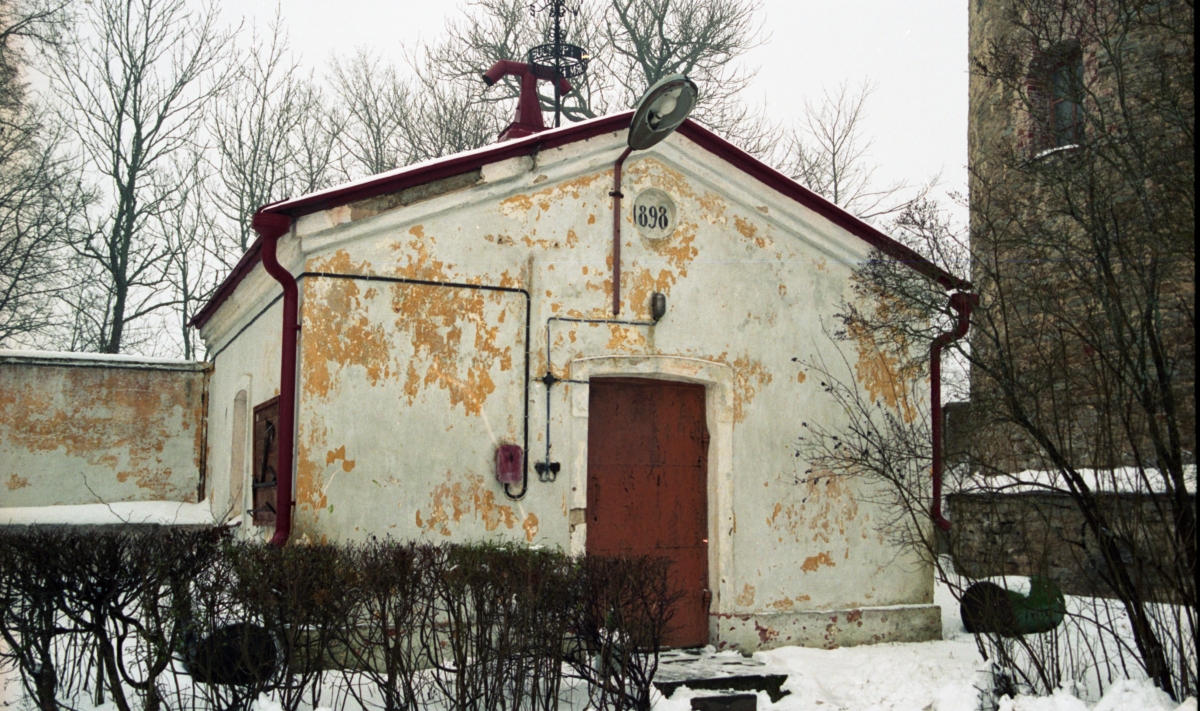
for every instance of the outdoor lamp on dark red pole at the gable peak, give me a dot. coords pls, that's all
(661, 111)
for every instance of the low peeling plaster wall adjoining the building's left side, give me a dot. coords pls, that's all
(92, 429)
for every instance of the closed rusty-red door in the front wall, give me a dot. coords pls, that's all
(649, 486)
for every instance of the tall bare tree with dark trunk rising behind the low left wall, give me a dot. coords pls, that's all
(135, 89)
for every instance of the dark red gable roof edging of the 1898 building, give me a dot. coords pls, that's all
(473, 160)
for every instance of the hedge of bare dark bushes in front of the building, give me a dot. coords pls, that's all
(195, 619)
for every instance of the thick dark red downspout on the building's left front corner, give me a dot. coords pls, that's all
(272, 228)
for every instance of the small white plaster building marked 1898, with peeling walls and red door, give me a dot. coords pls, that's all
(411, 378)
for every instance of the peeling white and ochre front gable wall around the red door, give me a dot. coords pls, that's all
(405, 391)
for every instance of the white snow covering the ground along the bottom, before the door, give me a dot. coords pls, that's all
(931, 677)
